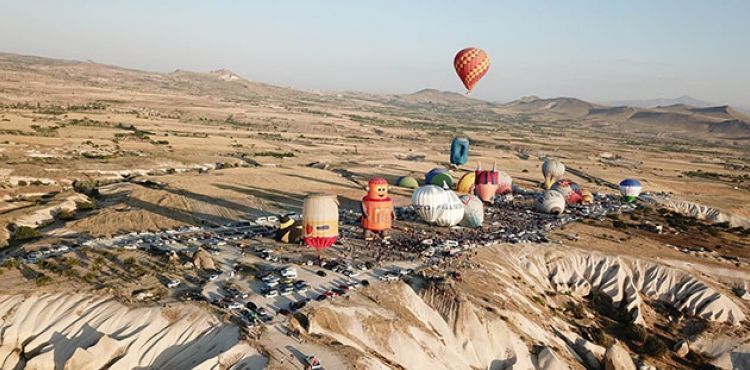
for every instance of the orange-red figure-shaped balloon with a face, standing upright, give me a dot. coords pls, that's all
(377, 209)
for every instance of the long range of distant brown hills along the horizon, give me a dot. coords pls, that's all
(684, 115)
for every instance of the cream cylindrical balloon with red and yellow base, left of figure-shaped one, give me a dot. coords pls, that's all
(320, 219)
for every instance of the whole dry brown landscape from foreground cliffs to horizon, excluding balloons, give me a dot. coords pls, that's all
(91, 151)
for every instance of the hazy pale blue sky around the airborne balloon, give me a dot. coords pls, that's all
(596, 50)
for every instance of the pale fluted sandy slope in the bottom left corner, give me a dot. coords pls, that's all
(68, 331)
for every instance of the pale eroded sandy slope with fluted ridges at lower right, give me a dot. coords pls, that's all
(491, 320)
